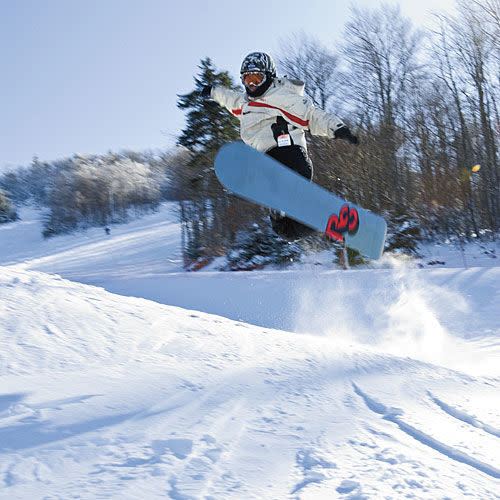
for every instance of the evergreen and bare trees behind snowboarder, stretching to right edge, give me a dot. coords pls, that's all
(424, 103)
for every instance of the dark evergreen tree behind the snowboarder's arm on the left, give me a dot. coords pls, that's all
(210, 217)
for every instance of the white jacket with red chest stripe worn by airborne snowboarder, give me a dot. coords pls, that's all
(284, 98)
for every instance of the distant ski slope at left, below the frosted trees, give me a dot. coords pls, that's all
(149, 244)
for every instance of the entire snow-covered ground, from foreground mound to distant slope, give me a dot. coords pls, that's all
(123, 377)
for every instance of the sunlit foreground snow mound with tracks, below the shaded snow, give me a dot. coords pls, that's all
(120, 397)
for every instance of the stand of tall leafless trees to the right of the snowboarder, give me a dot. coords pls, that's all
(426, 107)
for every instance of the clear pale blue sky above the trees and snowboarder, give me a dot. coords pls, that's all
(91, 76)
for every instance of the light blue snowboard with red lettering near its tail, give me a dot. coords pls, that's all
(252, 175)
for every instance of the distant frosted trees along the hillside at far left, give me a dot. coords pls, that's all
(90, 190)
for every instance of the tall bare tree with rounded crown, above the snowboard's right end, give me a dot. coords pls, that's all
(382, 51)
